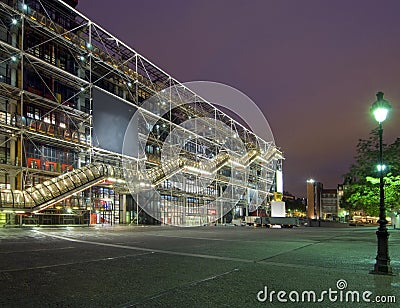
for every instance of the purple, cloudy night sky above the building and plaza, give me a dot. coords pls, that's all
(312, 66)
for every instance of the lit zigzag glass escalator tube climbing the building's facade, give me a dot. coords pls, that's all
(50, 192)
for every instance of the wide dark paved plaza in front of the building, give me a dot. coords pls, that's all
(221, 266)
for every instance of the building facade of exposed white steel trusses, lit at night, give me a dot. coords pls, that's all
(52, 60)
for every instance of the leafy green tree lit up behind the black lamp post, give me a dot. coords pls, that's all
(361, 185)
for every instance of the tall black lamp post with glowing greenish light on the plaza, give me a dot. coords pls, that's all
(380, 109)
